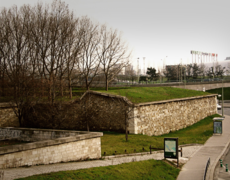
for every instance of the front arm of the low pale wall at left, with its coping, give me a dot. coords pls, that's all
(73, 148)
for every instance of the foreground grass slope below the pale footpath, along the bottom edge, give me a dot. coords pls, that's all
(150, 169)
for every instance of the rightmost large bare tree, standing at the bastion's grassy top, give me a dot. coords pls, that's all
(113, 54)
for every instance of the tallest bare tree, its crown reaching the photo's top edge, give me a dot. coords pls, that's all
(56, 43)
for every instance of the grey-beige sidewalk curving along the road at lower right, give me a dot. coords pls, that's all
(214, 148)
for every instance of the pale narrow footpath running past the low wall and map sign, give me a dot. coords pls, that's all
(14, 173)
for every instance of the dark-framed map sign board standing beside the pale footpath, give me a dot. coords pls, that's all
(171, 148)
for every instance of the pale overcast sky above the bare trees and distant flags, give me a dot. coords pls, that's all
(158, 28)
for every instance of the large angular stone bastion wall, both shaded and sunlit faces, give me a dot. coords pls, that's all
(106, 112)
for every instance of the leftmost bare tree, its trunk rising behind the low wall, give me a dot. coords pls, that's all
(16, 48)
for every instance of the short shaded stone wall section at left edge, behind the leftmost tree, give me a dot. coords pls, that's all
(7, 116)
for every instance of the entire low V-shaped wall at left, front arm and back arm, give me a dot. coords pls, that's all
(80, 146)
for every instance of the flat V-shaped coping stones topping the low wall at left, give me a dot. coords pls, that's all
(39, 144)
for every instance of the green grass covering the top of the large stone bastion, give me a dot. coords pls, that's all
(148, 94)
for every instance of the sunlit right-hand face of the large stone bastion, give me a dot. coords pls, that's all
(157, 118)
